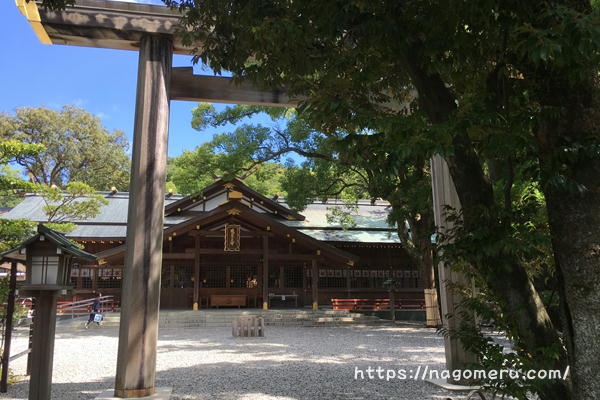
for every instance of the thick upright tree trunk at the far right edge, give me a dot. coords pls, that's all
(574, 218)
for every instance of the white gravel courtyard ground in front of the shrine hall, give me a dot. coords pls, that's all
(290, 363)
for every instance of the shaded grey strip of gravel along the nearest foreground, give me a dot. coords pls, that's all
(259, 381)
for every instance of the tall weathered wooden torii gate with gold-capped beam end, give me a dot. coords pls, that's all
(150, 30)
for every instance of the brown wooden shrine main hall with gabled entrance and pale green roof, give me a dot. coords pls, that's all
(230, 246)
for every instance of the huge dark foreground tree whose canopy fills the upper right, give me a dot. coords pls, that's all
(492, 74)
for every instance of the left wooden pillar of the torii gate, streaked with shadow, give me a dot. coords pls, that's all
(138, 332)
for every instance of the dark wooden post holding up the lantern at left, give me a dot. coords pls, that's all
(42, 353)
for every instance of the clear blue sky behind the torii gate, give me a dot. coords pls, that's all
(102, 81)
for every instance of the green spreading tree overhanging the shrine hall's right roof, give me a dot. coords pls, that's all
(332, 166)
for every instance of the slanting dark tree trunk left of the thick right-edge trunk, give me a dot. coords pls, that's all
(517, 295)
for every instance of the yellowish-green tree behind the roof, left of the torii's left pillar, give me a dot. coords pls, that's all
(77, 147)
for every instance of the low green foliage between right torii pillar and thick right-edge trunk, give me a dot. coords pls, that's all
(485, 253)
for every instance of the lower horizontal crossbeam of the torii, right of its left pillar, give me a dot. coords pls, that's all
(218, 89)
